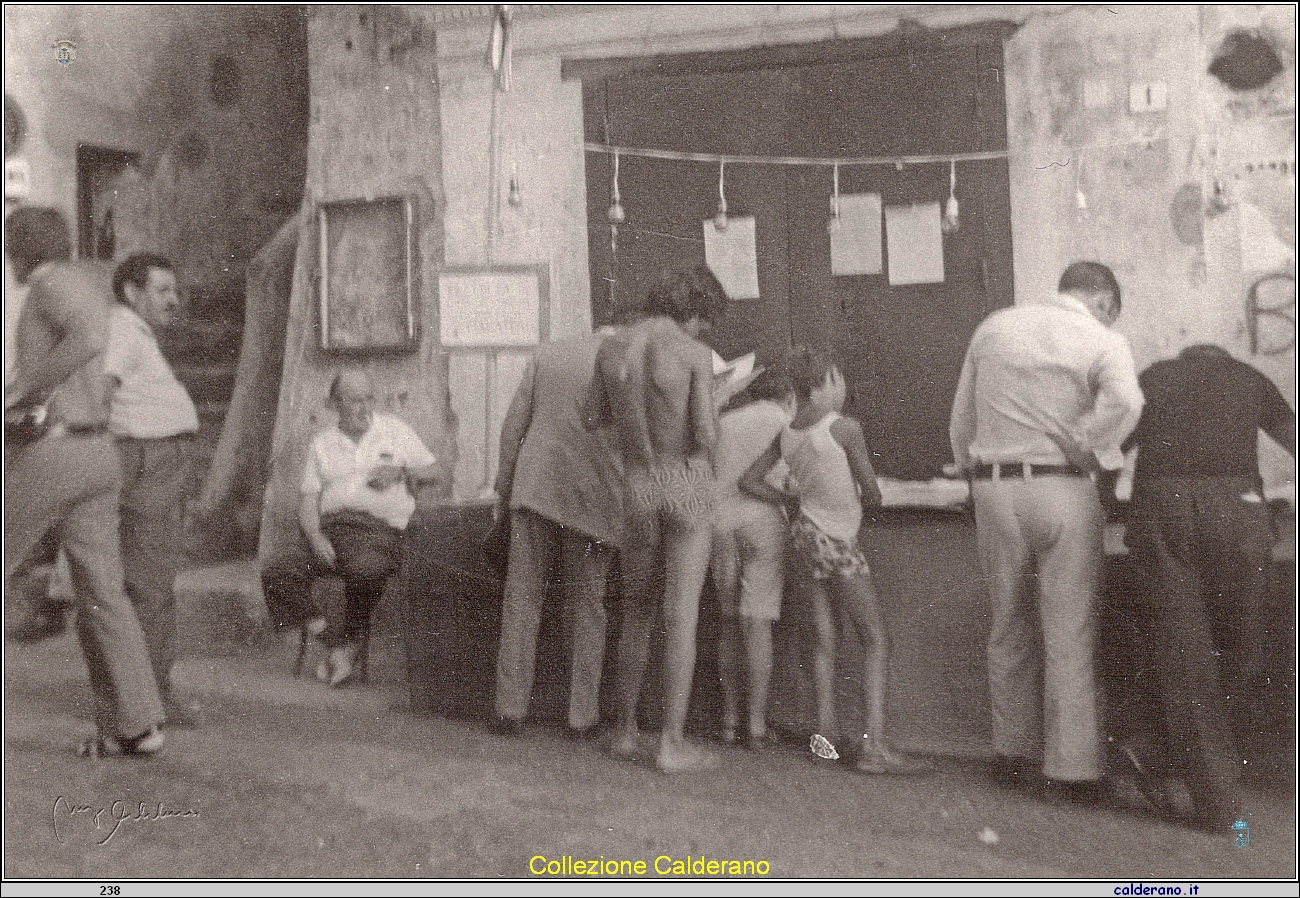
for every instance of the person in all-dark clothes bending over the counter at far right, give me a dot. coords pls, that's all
(1201, 526)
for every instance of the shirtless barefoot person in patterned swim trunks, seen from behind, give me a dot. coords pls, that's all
(655, 387)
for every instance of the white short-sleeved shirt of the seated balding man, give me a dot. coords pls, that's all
(337, 470)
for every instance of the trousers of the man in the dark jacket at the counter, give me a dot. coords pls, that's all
(544, 556)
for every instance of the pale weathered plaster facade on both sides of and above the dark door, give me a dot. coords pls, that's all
(1126, 164)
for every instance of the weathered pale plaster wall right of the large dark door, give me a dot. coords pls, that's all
(1095, 179)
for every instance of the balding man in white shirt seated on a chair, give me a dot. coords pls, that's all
(357, 502)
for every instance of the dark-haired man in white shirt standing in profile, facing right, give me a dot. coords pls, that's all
(154, 420)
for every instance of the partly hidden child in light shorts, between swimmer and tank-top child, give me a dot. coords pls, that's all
(749, 545)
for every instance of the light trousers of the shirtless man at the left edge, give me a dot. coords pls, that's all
(71, 484)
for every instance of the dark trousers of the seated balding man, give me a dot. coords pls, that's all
(367, 553)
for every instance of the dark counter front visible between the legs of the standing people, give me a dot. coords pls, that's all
(928, 572)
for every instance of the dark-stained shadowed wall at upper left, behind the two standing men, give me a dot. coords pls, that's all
(215, 180)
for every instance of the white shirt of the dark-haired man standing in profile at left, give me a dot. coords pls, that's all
(150, 402)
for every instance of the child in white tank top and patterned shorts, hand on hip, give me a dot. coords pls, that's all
(830, 481)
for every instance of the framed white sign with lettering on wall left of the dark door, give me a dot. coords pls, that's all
(489, 309)
